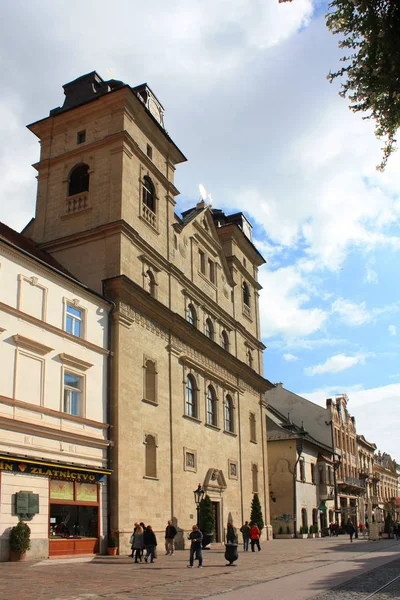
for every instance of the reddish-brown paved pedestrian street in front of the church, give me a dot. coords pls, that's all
(118, 578)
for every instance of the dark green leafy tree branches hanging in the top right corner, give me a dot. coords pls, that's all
(371, 71)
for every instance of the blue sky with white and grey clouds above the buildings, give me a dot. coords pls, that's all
(244, 86)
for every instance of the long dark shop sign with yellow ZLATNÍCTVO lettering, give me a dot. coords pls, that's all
(50, 471)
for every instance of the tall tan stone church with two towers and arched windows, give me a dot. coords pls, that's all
(187, 379)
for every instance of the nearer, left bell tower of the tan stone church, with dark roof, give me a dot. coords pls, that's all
(106, 172)
